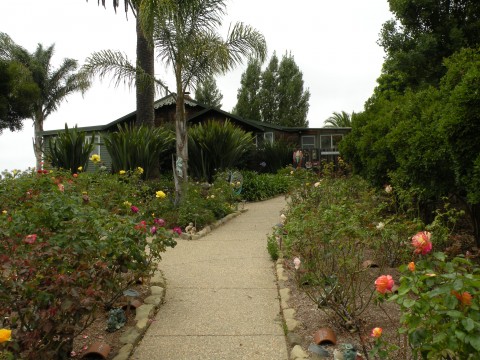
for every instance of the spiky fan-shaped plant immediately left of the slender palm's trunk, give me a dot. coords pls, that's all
(138, 146)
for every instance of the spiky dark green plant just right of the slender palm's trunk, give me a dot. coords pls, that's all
(214, 147)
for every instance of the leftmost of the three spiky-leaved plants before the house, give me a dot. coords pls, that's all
(68, 150)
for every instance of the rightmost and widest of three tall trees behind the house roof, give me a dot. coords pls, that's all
(292, 98)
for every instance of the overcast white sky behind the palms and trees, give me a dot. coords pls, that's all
(333, 43)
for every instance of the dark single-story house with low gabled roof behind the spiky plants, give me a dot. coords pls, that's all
(316, 143)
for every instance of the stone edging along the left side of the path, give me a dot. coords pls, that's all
(151, 304)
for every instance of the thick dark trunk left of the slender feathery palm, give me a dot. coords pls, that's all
(145, 93)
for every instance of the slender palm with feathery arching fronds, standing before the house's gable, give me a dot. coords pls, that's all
(185, 36)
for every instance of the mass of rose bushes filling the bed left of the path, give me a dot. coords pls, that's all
(70, 244)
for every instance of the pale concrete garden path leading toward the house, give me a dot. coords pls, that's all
(222, 299)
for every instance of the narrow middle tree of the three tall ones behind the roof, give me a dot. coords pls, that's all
(269, 92)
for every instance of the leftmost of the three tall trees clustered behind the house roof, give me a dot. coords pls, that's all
(248, 102)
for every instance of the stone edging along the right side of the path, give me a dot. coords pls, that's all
(291, 323)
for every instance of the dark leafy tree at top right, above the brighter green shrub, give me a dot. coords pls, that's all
(422, 35)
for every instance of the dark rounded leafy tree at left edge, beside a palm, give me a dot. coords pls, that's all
(18, 92)
